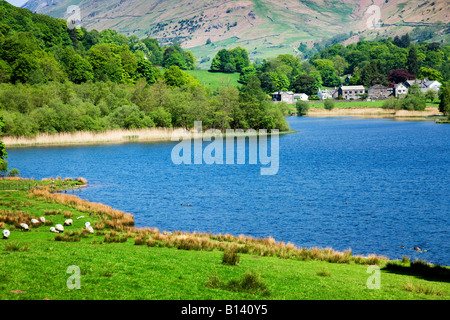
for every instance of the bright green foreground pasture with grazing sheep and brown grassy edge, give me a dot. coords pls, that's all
(122, 263)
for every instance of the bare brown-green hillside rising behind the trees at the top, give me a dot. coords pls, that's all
(264, 27)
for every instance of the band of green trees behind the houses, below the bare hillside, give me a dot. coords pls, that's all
(366, 63)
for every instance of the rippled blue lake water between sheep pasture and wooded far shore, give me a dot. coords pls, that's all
(371, 185)
